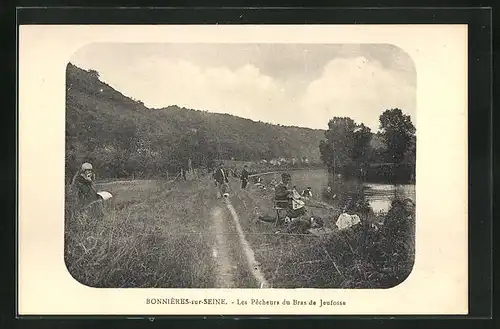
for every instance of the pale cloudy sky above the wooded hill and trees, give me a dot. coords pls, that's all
(291, 84)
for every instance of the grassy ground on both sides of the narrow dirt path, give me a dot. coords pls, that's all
(157, 234)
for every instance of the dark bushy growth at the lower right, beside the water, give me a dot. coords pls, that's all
(376, 257)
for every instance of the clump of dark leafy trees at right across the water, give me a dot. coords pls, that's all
(350, 148)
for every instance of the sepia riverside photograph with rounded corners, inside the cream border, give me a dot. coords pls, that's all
(252, 165)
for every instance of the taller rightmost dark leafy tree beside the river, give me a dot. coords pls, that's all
(398, 132)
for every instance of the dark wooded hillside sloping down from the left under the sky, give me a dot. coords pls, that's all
(124, 138)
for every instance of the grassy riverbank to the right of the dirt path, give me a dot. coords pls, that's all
(366, 256)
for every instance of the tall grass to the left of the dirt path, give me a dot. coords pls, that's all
(143, 240)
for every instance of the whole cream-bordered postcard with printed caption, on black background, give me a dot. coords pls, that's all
(243, 169)
